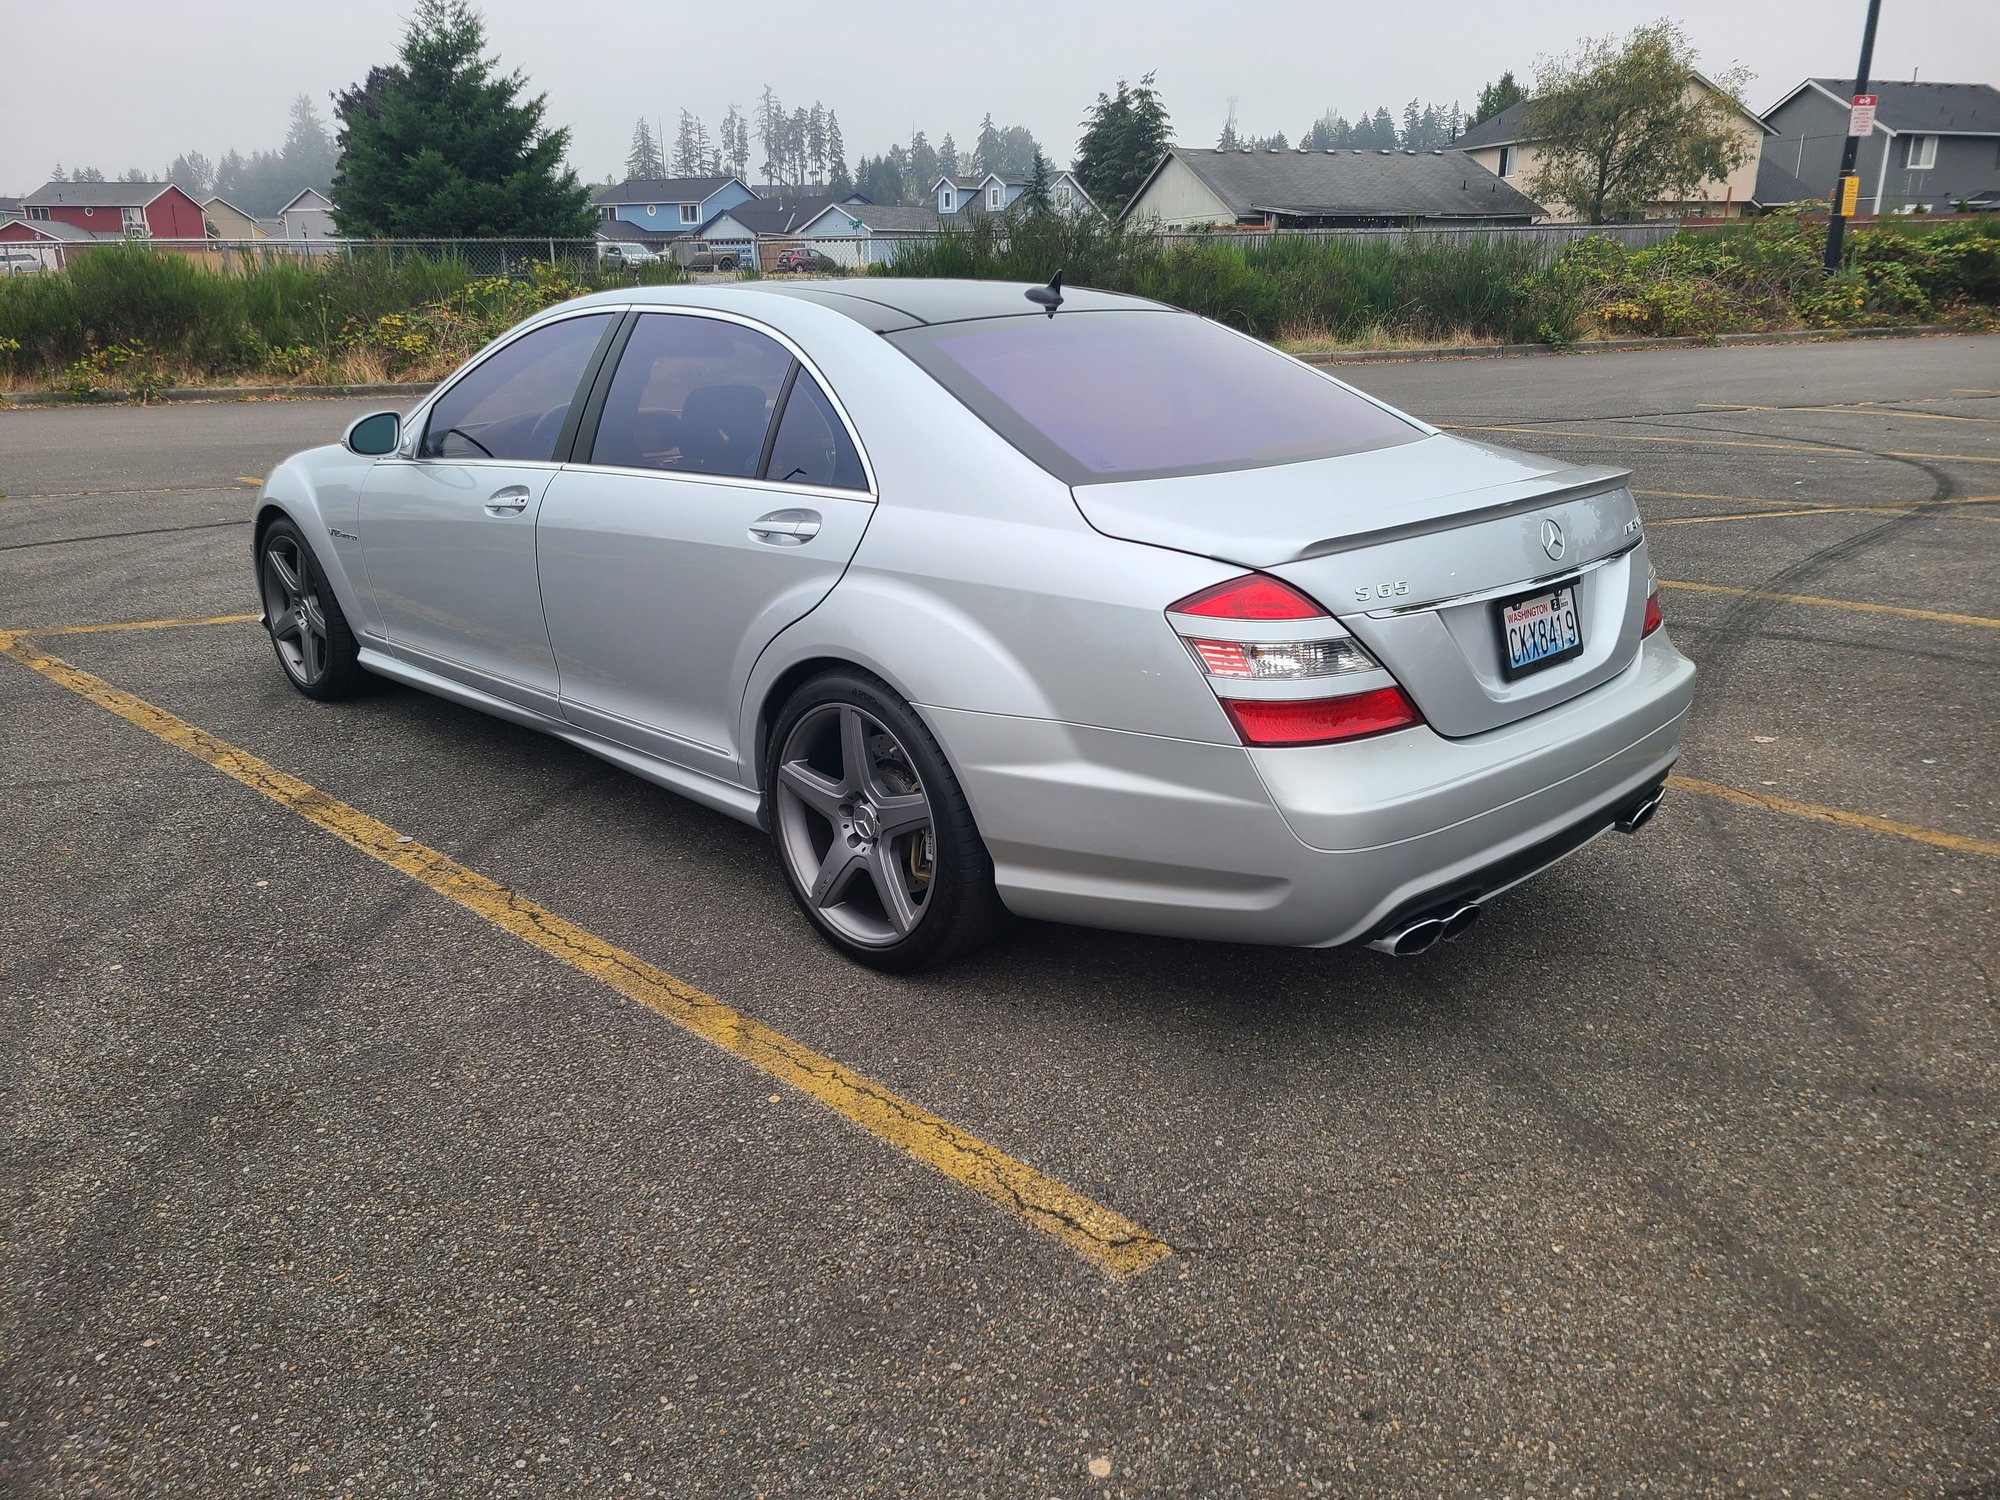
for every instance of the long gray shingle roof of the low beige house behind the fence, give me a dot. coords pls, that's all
(1357, 183)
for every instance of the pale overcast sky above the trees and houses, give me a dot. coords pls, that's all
(135, 83)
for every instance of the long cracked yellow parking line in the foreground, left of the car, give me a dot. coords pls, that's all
(1103, 1237)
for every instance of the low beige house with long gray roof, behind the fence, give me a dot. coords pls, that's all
(1323, 189)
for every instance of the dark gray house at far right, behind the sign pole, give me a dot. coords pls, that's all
(1931, 145)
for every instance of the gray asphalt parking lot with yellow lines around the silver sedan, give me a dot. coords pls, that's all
(1677, 1175)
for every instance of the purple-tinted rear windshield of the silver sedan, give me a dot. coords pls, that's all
(1099, 397)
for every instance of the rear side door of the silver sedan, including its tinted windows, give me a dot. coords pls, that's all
(715, 499)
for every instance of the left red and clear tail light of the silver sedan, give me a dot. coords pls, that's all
(1235, 633)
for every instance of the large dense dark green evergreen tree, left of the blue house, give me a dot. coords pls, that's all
(443, 145)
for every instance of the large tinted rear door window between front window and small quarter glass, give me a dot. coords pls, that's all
(691, 395)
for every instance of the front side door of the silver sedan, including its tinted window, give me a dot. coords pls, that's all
(449, 523)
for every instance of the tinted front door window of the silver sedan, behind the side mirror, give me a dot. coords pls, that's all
(513, 405)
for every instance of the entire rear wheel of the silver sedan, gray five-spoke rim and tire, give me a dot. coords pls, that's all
(873, 829)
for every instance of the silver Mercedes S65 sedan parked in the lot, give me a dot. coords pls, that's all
(1067, 607)
